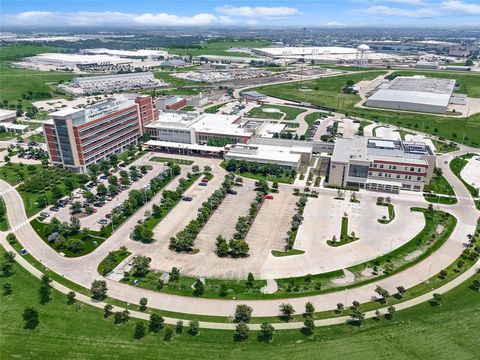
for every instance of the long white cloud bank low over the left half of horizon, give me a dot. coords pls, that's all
(108, 18)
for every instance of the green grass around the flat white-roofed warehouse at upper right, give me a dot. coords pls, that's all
(329, 94)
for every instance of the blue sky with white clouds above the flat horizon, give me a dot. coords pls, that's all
(242, 13)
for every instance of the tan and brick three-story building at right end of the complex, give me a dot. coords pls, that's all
(381, 165)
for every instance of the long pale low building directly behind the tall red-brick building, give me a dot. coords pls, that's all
(112, 83)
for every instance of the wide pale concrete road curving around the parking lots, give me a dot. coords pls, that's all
(83, 270)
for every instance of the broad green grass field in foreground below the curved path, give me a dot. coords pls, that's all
(80, 332)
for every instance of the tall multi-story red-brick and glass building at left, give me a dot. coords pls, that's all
(77, 138)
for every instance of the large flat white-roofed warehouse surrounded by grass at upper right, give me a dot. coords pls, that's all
(416, 93)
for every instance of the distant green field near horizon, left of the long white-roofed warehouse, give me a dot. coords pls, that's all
(220, 47)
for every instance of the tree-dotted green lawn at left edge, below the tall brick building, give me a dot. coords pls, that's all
(41, 186)
